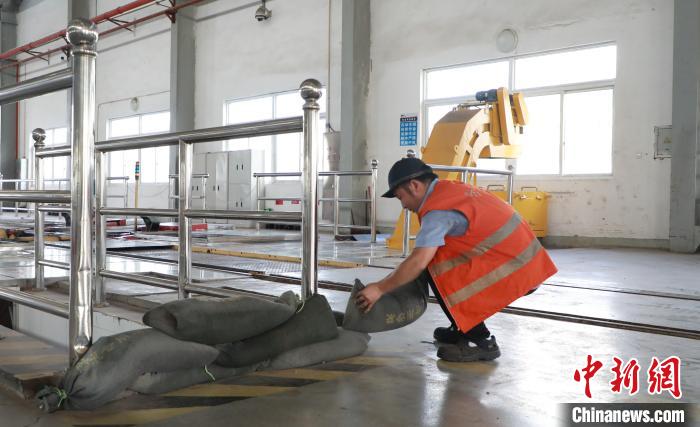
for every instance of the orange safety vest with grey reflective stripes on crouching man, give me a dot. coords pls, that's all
(495, 262)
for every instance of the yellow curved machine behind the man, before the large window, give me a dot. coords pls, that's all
(486, 128)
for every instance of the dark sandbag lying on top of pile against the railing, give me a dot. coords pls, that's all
(223, 320)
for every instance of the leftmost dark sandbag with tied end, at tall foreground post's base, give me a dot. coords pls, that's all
(113, 363)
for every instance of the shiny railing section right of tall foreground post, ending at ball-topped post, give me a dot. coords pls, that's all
(184, 211)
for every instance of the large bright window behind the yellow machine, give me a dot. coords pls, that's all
(569, 96)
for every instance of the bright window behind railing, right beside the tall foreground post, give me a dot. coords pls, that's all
(155, 162)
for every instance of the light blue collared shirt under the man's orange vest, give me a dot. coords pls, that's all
(437, 224)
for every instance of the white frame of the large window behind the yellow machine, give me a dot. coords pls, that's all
(561, 90)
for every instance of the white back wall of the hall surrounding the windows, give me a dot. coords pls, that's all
(238, 57)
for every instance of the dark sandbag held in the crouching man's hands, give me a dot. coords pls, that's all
(394, 310)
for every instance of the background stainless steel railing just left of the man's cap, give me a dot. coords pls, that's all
(336, 199)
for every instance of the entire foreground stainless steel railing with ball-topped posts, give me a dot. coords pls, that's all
(83, 267)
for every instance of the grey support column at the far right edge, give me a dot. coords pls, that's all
(685, 173)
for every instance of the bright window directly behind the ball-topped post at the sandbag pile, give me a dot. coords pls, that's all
(283, 153)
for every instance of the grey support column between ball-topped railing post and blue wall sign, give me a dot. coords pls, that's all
(354, 87)
